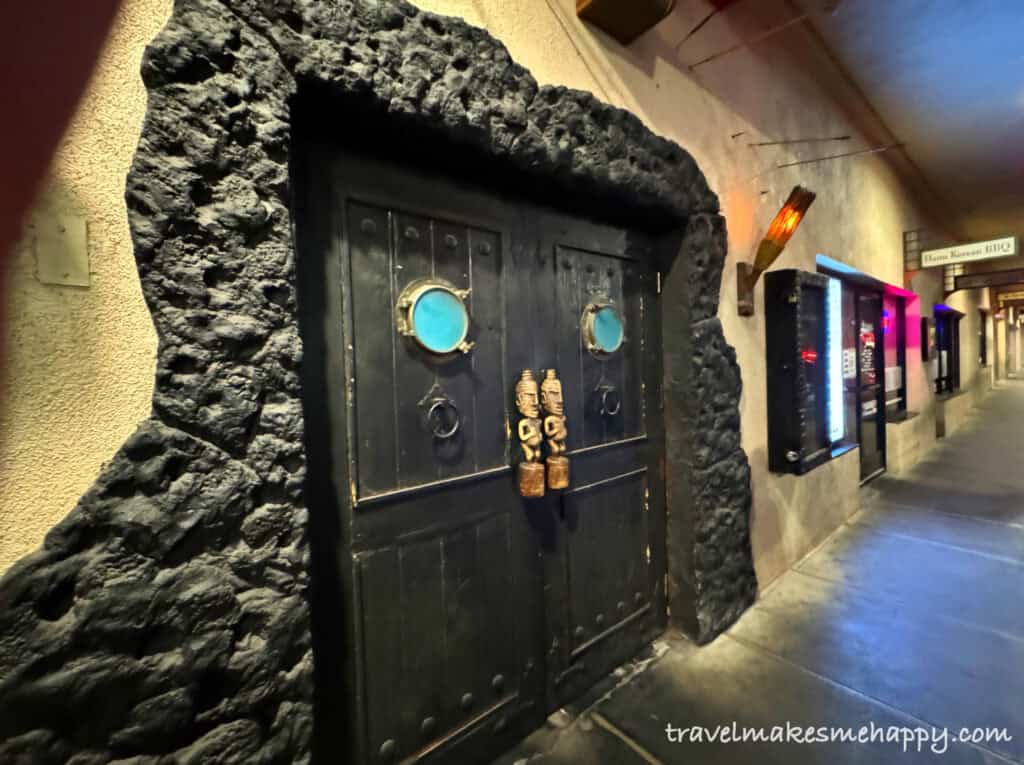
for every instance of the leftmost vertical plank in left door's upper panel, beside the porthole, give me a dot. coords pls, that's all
(370, 273)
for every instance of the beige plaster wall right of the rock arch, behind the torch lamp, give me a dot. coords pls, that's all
(764, 95)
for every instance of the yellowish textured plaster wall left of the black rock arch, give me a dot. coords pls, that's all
(81, 361)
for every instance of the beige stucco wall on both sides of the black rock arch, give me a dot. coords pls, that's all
(83, 360)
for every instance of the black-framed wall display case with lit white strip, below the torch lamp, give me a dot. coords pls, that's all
(801, 353)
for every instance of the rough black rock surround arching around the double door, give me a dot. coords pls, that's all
(166, 619)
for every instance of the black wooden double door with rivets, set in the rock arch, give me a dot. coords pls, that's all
(474, 612)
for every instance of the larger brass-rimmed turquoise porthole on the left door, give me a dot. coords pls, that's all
(434, 313)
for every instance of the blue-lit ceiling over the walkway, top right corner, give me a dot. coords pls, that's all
(948, 79)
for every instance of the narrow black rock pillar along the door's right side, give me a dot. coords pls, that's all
(708, 478)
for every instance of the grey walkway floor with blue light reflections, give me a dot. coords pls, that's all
(912, 615)
